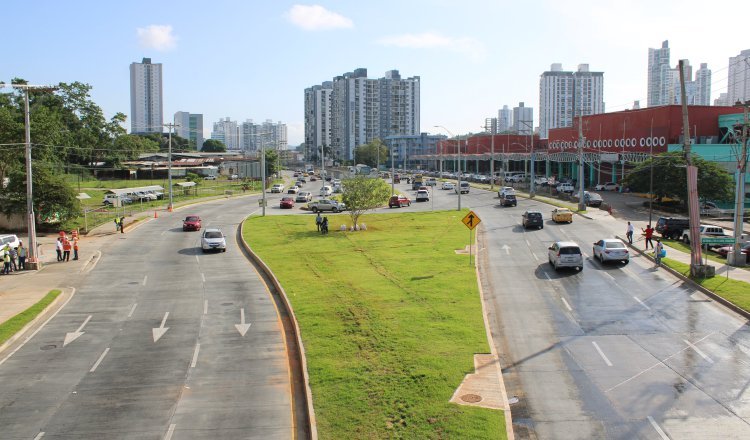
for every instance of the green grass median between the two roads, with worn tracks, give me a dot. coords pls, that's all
(390, 318)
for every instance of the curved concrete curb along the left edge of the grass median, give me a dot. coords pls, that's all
(312, 428)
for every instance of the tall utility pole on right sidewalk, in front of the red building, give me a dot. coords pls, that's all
(696, 268)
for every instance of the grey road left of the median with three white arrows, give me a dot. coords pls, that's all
(153, 346)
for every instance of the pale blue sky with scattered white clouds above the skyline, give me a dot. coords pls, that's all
(253, 59)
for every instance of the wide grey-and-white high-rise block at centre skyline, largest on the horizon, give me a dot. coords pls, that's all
(353, 110)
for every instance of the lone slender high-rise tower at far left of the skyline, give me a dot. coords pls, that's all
(146, 97)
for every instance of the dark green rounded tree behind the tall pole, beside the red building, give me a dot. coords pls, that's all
(670, 178)
